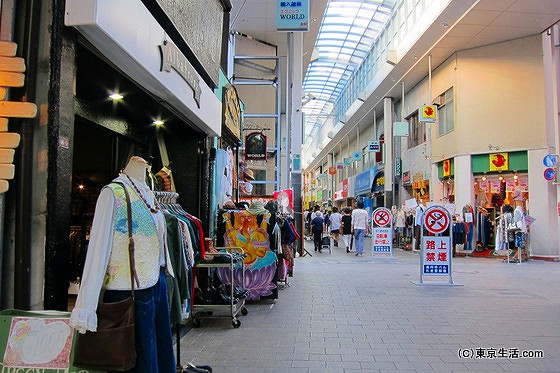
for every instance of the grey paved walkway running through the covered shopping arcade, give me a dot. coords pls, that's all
(344, 313)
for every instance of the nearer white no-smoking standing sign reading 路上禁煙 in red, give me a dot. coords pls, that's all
(436, 246)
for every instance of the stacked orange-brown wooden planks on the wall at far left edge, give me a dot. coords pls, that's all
(11, 75)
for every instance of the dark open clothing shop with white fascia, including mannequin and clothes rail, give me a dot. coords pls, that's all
(146, 108)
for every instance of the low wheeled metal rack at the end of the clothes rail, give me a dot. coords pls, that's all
(236, 306)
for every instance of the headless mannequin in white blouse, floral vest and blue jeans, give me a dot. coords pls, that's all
(107, 255)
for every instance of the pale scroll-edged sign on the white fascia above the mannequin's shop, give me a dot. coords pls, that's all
(173, 58)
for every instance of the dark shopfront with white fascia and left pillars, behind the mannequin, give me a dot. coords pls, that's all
(168, 114)
